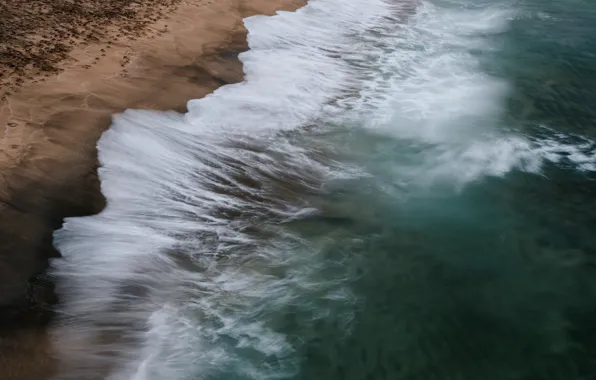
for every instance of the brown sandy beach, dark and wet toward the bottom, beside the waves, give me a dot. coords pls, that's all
(55, 105)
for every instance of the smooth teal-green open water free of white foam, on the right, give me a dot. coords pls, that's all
(492, 280)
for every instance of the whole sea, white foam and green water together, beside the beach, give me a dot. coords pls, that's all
(398, 190)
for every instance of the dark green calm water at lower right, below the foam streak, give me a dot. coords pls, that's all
(478, 297)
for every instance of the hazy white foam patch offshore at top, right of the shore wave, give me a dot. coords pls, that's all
(429, 84)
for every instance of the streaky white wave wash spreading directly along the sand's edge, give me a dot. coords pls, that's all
(189, 272)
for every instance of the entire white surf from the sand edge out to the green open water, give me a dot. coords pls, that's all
(198, 267)
